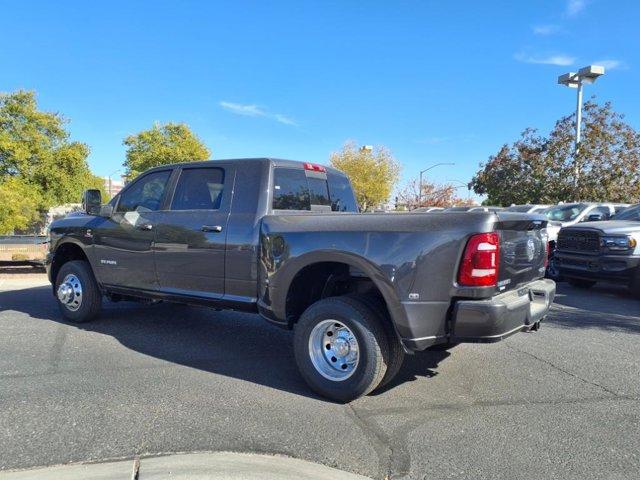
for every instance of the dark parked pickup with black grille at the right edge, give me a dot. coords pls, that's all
(610, 250)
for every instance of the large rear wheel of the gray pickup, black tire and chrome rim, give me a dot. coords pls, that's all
(341, 348)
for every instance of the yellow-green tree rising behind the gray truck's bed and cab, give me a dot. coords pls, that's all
(373, 174)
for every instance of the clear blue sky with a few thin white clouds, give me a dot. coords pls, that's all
(433, 81)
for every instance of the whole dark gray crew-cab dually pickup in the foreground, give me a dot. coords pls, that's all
(284, 239)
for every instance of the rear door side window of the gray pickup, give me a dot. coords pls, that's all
(199, 189)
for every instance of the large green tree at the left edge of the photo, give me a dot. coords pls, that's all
(35, 149)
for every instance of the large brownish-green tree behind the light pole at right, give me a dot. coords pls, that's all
(537, 169)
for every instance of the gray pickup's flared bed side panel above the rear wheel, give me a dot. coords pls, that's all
(403, 253)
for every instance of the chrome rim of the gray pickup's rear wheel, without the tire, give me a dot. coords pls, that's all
(333, 350)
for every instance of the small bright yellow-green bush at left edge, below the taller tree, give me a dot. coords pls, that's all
(20, 205)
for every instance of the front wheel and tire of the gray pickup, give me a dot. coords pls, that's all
(77, 292)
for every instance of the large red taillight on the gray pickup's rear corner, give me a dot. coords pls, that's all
(479, 267)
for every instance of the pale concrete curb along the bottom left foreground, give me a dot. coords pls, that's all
(192, 466)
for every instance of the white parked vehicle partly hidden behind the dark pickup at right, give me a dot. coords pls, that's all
(568, 214)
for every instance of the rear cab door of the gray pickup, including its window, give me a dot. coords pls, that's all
(191, 234)
